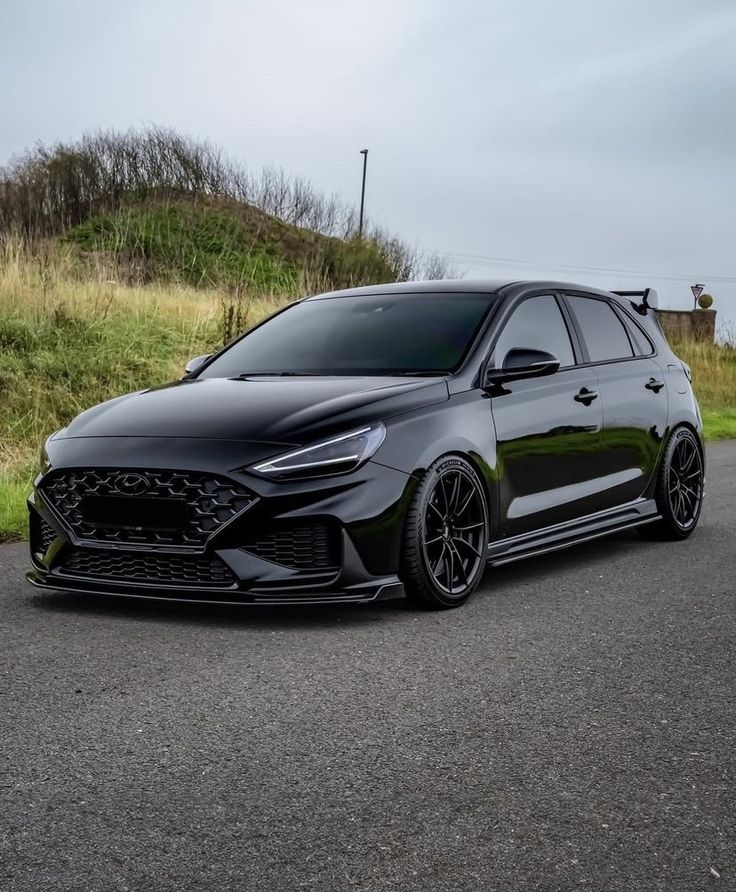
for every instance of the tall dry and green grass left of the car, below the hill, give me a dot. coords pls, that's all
(66, 344)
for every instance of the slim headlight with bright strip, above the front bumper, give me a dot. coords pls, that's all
(338, 455)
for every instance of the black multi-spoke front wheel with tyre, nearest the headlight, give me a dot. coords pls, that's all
(445, 536)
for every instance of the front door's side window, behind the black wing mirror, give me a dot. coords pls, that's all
(536, 324)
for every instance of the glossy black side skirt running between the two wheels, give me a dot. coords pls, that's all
(572, 532)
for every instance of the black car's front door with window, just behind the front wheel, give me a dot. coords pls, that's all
(547, 429)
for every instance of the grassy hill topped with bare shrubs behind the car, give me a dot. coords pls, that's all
(152, 205)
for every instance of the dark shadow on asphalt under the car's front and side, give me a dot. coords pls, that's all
(498, 583)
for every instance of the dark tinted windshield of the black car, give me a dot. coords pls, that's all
(383, 334)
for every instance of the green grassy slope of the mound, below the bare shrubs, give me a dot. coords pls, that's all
(207, 242)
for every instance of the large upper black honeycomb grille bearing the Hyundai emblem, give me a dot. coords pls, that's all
(203, 504)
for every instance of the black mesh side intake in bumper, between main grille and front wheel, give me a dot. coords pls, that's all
(299, 547)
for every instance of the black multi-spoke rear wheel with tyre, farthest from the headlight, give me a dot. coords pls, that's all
(680, 488)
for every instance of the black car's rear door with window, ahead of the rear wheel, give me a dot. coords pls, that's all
(634, 398)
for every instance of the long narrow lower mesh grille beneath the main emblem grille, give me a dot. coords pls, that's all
(165, 569)
